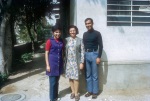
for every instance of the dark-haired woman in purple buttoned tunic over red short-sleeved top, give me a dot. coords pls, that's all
(54, 61)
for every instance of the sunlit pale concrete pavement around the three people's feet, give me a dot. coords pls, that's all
(36, 89)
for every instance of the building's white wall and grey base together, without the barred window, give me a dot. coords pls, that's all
(126, 55)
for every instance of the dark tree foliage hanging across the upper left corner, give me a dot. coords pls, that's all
(28, 12)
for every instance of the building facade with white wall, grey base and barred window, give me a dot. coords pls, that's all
(124, 26)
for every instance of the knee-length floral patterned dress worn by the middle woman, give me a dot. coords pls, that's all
(72, 70)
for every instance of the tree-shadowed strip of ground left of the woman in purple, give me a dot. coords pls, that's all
(36, 66)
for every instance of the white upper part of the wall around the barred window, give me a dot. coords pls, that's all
(122, 43)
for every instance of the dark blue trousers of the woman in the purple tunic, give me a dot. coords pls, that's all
(53, 89)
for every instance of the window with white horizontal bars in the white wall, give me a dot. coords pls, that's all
(128, 12)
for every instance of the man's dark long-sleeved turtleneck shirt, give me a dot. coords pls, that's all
(92, 39)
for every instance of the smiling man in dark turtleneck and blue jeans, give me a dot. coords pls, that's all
(93, 50)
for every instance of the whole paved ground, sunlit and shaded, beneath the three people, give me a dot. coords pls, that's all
(32, 81)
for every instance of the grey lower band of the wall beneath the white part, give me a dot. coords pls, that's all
(121, 76)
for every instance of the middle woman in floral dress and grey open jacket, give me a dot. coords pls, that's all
(74, 50)
